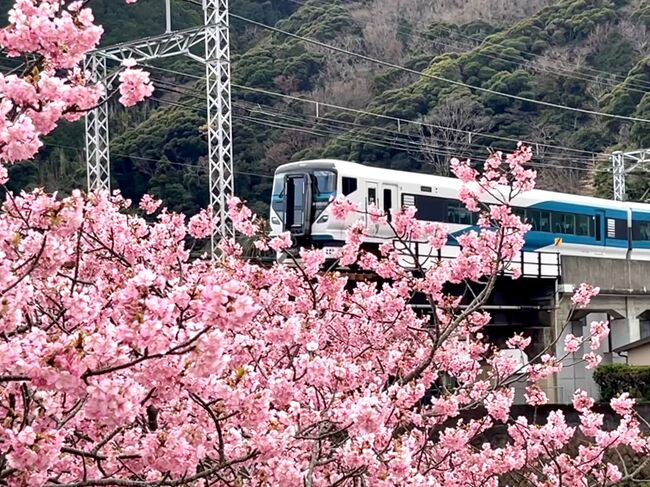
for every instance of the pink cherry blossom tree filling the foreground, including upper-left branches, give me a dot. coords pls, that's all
(123, 362)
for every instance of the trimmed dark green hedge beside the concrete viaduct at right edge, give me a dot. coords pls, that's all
(614, 379)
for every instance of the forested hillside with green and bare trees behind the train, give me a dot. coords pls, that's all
(434, 95)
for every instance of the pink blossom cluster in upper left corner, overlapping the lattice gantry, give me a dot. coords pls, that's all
(57, 34)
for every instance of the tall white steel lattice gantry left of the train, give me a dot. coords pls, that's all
(215, 37)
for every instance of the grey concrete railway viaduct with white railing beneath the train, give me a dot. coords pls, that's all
(538, 304)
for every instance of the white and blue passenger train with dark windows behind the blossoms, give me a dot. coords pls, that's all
(561, 223)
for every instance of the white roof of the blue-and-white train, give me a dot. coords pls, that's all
(430, 179)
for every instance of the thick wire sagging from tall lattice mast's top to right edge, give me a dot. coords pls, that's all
(435, 77)
